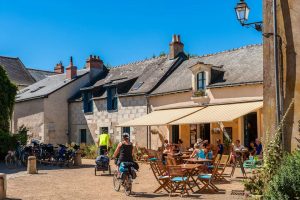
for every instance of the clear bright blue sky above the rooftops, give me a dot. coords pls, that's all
(42, 33)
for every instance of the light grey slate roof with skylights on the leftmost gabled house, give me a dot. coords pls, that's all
(46, 86)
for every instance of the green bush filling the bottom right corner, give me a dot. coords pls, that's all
(285, 184)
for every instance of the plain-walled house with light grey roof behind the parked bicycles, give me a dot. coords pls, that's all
(43, 106)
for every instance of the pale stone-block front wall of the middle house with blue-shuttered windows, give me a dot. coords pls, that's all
(128, 108)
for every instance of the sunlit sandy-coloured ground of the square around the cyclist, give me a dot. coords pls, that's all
(81, 183)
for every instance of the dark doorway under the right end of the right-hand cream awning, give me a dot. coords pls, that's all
(250, 128)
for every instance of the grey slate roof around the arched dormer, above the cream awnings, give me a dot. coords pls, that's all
(240, 66)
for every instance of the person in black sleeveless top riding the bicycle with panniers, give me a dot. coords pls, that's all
(124, 150)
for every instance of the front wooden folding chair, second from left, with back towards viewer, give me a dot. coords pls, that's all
(178, 180)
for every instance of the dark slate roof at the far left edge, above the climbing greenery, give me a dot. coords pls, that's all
(16, 71)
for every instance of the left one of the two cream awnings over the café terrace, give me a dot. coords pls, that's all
(161, 117)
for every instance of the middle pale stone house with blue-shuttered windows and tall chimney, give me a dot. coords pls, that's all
(121, 95)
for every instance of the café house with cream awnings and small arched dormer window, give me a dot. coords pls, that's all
(209, 97)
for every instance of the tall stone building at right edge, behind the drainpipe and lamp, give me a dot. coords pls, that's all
(289, 56)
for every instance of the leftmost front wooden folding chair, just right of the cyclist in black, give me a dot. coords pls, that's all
(161, 177)
